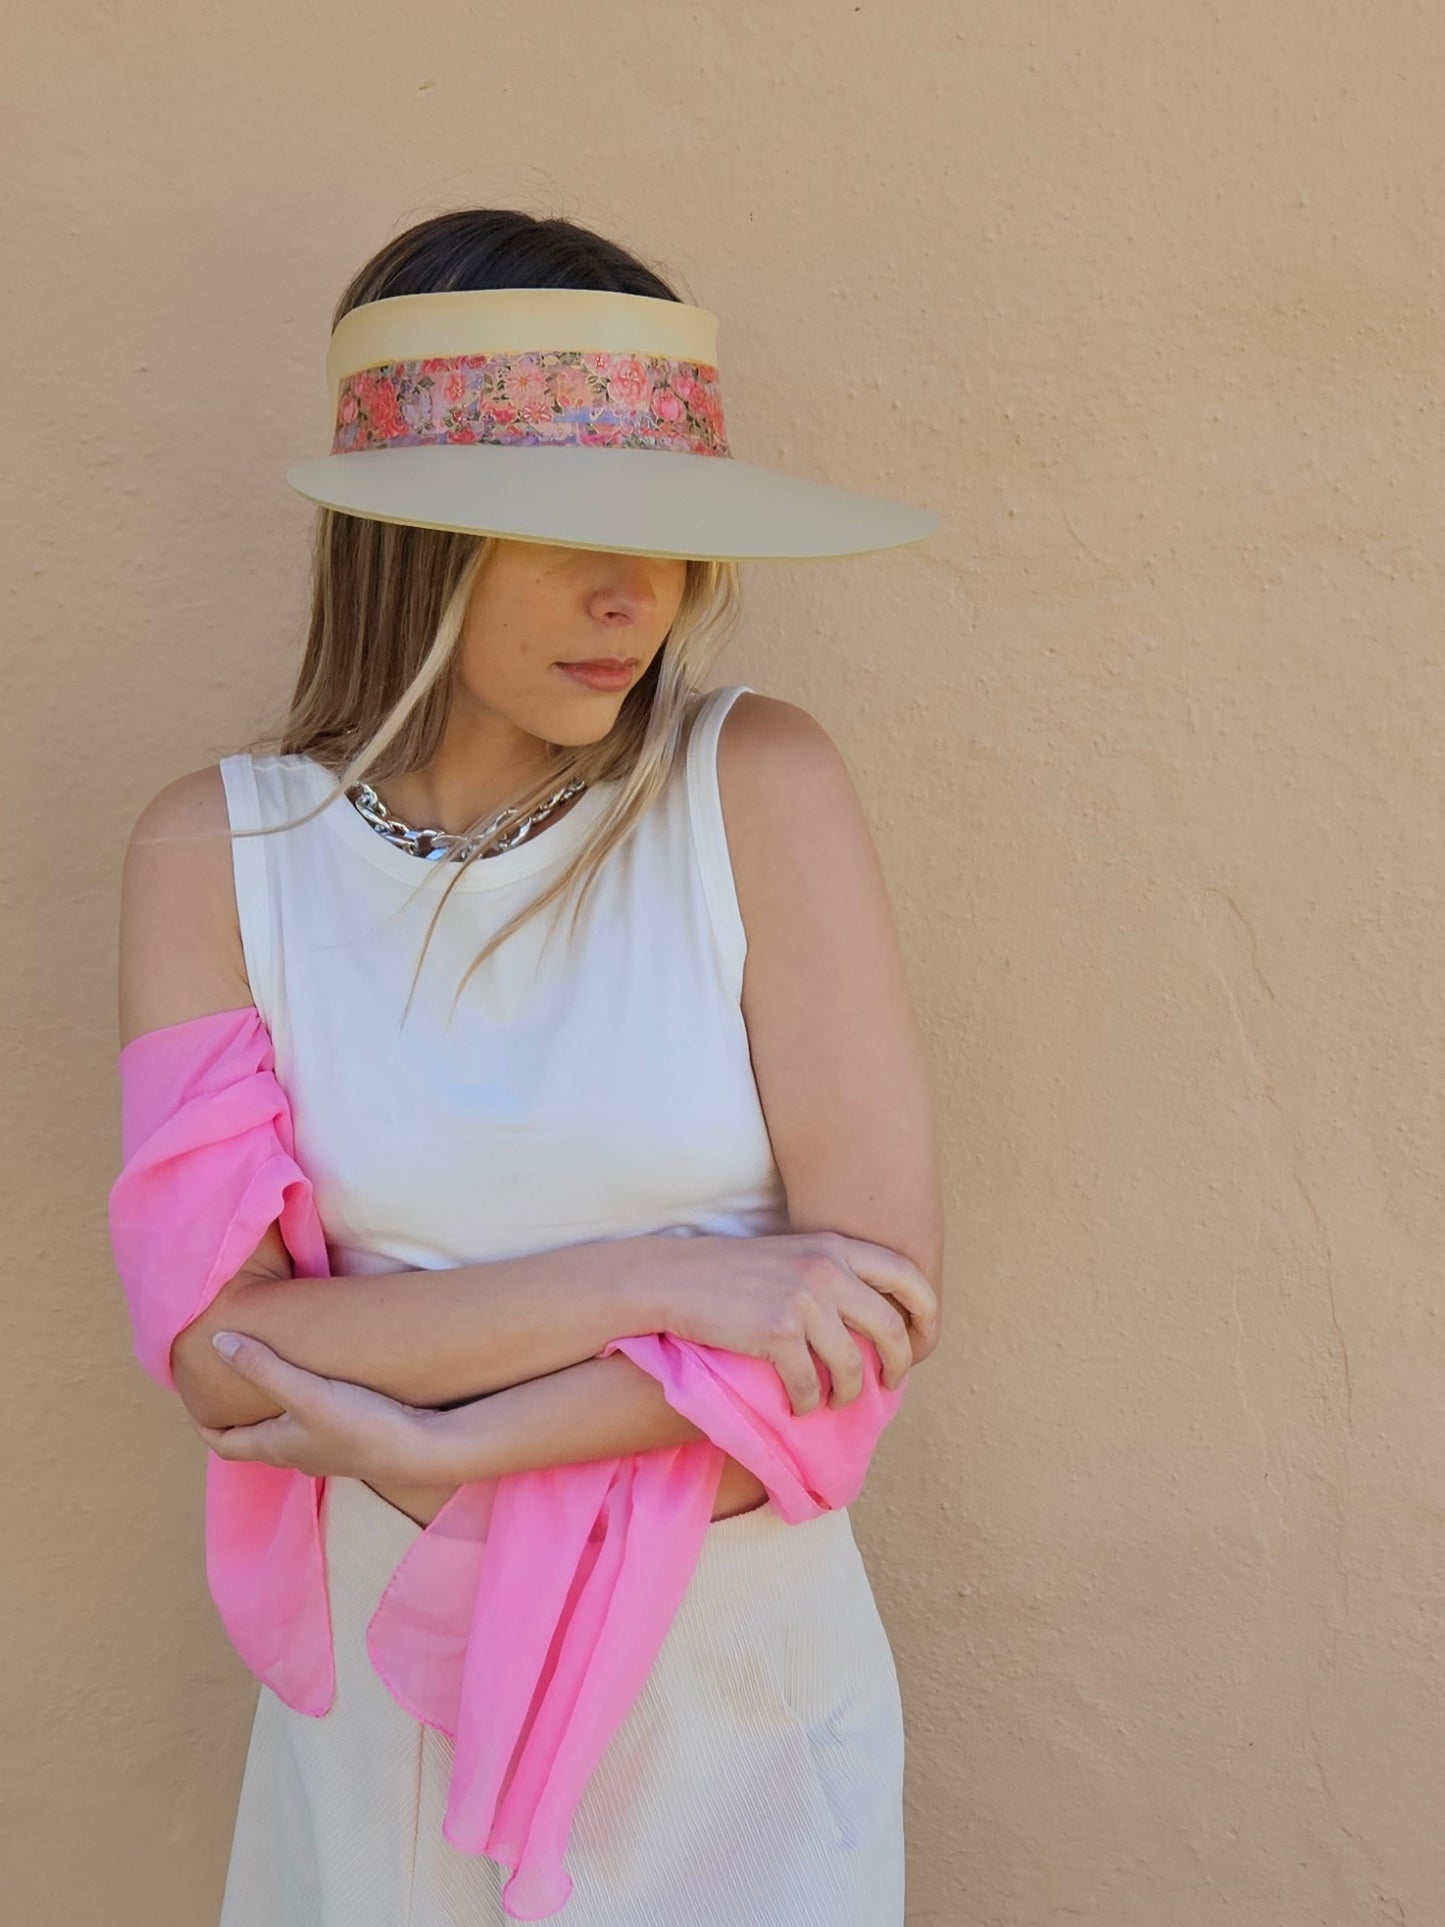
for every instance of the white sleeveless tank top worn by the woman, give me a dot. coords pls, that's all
(592, 1084)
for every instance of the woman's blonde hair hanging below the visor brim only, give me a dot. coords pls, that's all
(379, 673)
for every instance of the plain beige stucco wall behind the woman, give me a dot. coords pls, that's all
(1147, 302)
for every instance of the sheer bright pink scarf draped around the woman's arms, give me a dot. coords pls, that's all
(523, 1622)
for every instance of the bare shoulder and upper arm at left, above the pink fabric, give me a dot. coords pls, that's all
(180, 934)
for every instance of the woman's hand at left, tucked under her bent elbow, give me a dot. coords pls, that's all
(328, 1427)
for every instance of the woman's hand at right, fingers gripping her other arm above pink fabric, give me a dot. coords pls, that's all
(795, 1298)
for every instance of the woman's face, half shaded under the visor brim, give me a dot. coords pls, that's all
(539, 608)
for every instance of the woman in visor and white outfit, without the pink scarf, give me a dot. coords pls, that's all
(695, 1107)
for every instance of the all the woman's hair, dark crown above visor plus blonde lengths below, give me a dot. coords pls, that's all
(388, 602)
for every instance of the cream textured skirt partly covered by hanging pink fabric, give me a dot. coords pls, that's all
(758, 1780)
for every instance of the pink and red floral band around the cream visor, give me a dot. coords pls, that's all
(564, 396)
